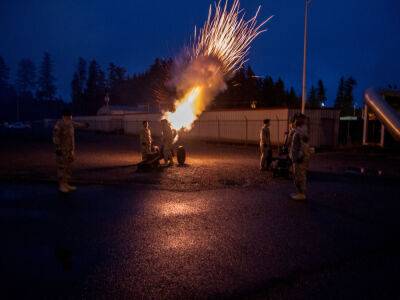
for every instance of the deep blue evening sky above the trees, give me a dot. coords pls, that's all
(346, 37)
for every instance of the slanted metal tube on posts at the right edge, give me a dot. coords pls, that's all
(389, 117)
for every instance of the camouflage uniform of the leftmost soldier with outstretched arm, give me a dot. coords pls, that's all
(64, 141)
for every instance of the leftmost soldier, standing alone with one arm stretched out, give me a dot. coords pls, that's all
(64, 141)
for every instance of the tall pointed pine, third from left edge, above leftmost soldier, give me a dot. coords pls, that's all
(46, 83)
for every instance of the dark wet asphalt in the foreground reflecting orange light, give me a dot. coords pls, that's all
(126, 242)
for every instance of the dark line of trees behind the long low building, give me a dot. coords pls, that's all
(33, 94)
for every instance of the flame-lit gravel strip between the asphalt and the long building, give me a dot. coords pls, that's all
(111, 159)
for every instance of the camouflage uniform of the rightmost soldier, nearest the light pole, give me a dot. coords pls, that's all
(300, 155)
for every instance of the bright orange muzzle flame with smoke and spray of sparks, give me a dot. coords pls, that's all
(218, 50)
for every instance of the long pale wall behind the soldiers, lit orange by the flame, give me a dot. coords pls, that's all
(230, 126)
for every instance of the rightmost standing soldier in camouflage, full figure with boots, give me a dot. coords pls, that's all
(300, 156)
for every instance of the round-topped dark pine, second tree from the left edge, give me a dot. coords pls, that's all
(26, 77)
